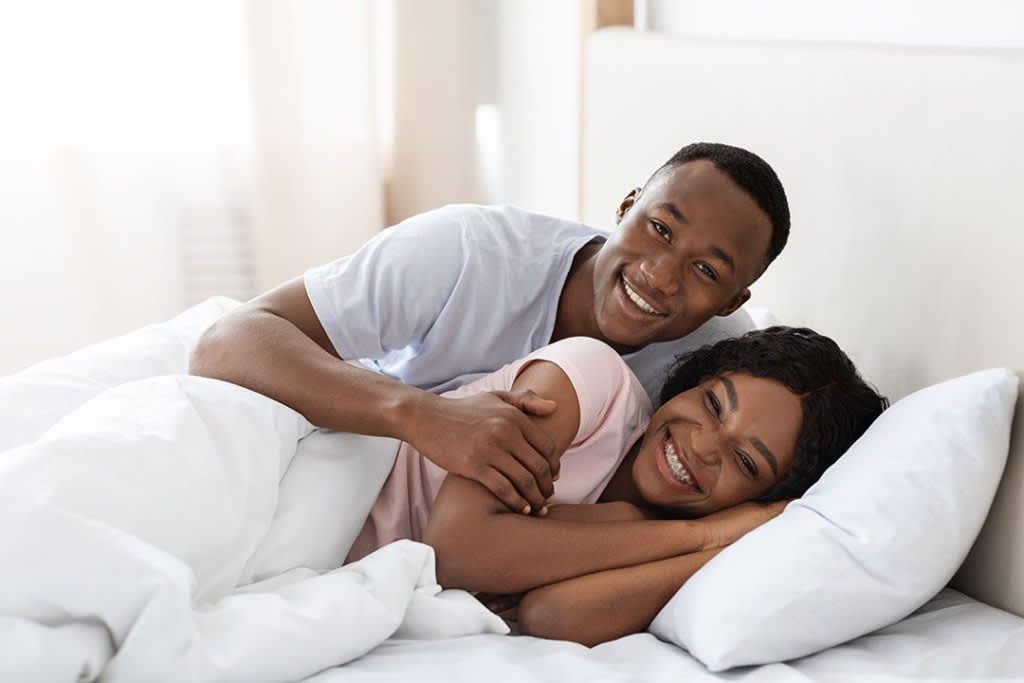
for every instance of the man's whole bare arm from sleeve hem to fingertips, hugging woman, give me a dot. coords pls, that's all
(277, 347)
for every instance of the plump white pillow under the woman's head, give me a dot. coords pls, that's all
(879, 535)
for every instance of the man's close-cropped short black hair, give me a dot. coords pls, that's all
(753, 176)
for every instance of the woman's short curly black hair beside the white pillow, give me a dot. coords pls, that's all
(838, 405)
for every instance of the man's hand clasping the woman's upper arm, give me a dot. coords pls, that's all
(490, 439)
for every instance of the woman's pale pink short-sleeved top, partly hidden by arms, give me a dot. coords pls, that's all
(614, 414)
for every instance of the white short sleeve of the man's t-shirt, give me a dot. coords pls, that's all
(389, 294)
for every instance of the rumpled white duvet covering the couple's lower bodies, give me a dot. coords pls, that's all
(162, 528)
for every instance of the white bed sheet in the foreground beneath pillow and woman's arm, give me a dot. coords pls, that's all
(952, 638)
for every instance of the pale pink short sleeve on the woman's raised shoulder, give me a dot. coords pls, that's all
(603, 381)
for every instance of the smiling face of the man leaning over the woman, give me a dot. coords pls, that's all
(687, 249)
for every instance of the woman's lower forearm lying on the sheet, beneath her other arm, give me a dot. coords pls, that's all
(606, 606)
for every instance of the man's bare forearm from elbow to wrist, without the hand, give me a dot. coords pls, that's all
(267, 354)
